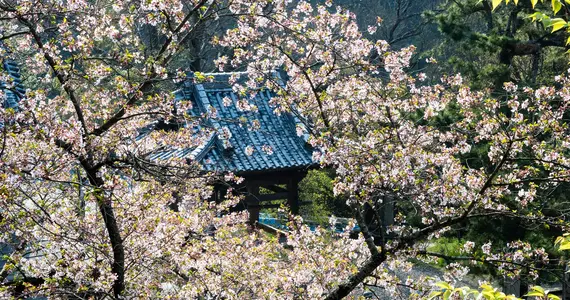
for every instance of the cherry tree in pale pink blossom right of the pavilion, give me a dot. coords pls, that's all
(388, 139)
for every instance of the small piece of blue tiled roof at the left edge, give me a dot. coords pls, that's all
(12, 88)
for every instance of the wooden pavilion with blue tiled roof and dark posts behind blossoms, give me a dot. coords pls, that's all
(250, 139)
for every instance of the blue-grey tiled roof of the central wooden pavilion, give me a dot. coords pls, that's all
(271, 136)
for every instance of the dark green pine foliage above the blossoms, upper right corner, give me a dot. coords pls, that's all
(490, 47)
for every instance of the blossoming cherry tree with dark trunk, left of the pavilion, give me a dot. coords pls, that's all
(86, 213)
